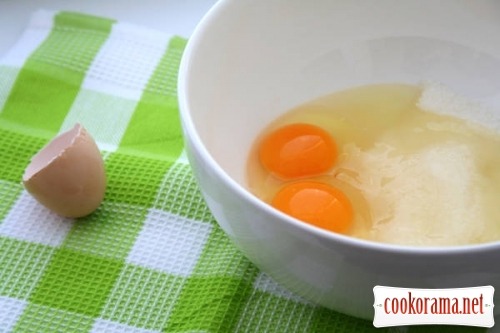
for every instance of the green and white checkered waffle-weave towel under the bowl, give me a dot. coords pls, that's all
(151, 258)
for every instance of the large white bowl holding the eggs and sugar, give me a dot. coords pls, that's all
(249, 61)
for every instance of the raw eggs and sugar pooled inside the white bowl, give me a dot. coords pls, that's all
(419, 165)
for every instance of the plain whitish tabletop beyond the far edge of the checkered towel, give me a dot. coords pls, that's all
(172, 16)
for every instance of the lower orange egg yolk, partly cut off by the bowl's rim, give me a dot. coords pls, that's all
(316, 203)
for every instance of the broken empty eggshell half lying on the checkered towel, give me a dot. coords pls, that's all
(67, 176)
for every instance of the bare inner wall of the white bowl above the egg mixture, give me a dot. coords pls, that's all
(251, 61)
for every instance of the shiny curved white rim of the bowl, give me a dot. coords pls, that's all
(189, 129)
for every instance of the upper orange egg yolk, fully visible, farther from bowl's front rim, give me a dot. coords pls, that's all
(298, 150)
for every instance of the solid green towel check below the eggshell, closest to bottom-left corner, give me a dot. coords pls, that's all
(77, 282)
